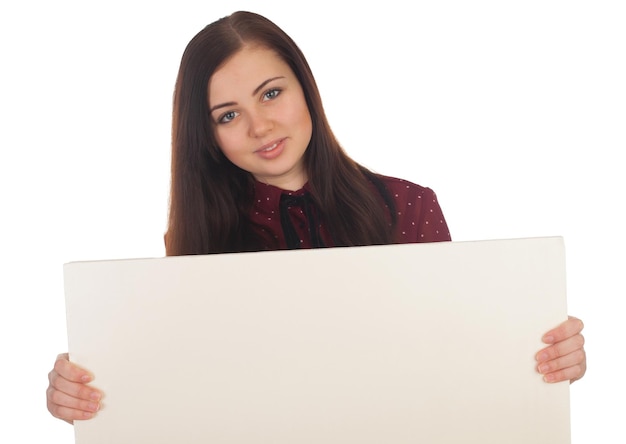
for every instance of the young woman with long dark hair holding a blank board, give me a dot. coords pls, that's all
(255, 166)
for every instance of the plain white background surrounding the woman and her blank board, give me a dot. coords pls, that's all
(513, 112)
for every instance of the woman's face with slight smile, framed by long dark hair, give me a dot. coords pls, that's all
(260, 117)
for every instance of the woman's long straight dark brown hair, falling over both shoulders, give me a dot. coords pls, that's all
(210, 197)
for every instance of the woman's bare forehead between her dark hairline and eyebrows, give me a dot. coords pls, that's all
(244, 71)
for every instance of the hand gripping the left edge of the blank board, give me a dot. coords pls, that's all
(68, 395)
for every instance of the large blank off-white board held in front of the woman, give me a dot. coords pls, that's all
(430, 343)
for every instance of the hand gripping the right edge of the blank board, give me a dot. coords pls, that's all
(564, 359)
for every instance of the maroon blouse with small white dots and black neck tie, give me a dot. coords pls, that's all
(419, 217)
